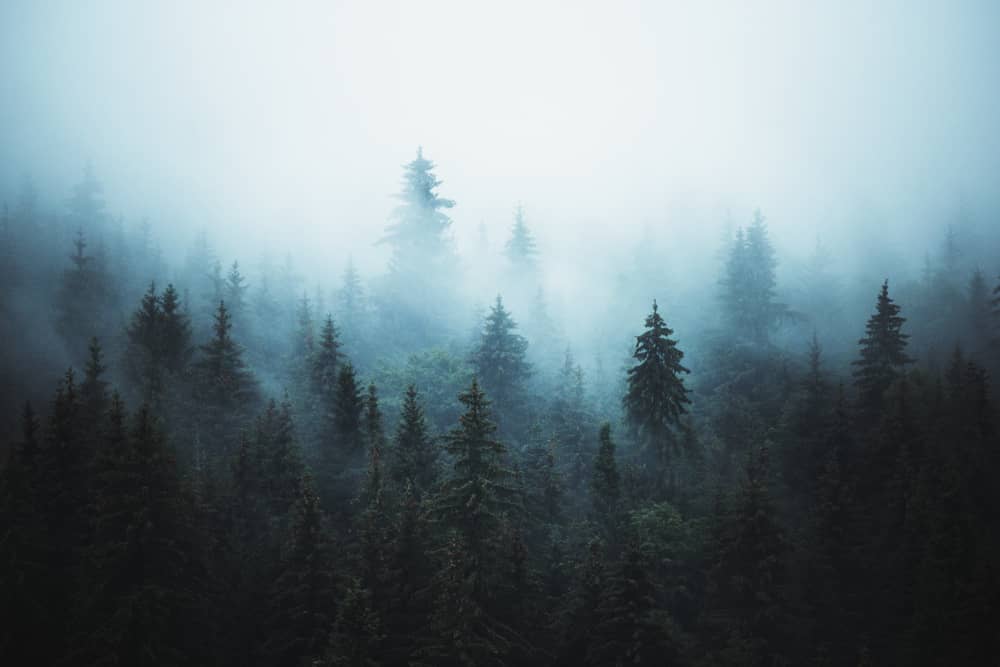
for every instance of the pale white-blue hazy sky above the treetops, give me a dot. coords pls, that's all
(284, 124)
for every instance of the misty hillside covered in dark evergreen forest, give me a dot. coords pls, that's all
(209, 462)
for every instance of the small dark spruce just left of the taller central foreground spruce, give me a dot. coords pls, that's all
(414, 456)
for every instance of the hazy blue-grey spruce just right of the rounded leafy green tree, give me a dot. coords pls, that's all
(500, 364)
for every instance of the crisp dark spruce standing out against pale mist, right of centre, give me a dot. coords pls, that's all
(656, 395)
